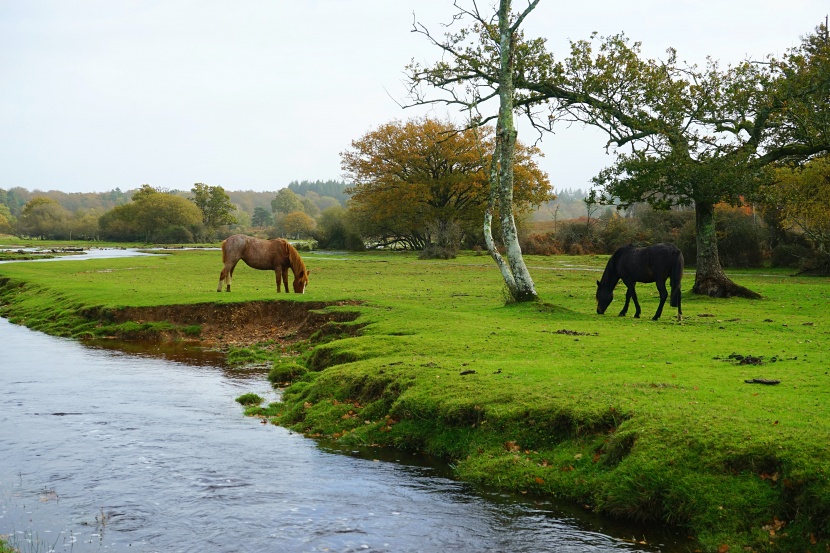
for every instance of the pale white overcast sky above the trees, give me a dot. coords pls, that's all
(98, 94)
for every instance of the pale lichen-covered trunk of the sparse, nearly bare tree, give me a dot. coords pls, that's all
(515, 273)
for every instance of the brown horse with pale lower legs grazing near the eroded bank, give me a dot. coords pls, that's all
(269, 255)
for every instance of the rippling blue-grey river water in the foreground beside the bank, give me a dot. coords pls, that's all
(103, 450)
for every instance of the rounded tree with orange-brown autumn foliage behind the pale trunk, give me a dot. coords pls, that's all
(413, 181)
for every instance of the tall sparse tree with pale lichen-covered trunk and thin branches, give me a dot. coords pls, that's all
(482, 62)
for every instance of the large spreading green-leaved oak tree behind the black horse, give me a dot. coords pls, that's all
(687, 135)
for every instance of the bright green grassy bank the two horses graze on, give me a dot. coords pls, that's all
(633, 418)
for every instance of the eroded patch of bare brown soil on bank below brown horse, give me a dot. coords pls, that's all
(242, 324)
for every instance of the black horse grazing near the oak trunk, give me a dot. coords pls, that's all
(652, 264)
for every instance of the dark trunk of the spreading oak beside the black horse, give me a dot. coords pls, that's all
(710, 280)
